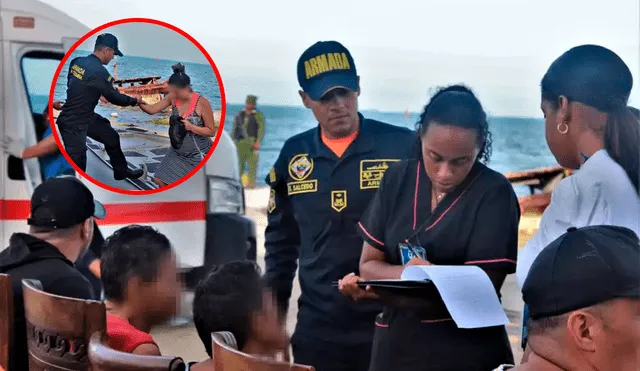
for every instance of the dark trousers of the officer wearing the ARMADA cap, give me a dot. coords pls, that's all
(332, 357)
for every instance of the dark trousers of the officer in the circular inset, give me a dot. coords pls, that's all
(98, 128)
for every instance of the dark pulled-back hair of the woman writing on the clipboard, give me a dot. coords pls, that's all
(458, 106)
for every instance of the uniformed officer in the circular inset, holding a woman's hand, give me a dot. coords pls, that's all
(87, 81)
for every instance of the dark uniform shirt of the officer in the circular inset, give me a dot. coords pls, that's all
(87, 80)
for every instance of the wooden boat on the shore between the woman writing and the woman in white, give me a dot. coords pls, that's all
(542, 180)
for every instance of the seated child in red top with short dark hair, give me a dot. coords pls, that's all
(141, 287)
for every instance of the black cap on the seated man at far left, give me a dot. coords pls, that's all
(63, 202)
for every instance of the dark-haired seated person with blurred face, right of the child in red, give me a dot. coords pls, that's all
(234, 298)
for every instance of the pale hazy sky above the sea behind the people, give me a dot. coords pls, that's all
(402, 49)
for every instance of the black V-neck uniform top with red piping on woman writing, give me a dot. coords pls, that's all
(477, 223)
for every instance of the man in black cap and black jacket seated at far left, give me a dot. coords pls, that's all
(61, 230)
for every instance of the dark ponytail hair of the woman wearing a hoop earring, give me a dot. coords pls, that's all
(597, 77)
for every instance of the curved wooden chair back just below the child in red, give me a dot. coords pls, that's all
(104, 358)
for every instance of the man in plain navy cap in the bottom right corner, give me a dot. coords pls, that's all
(583, 293)
